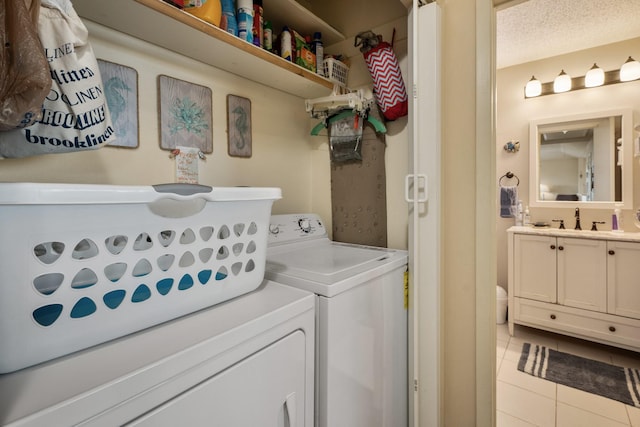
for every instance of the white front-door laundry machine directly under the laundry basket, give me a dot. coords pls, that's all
(246, 362)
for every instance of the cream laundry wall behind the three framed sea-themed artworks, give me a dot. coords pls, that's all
(280, 128)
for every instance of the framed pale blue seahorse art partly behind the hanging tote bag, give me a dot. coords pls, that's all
(120, 85)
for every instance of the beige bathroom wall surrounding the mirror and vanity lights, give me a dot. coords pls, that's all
(514, 113)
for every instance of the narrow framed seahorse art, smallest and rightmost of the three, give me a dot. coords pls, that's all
(239, 126)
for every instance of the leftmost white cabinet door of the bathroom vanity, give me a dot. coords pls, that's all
(535, 267)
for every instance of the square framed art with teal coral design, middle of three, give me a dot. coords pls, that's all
(185, 115)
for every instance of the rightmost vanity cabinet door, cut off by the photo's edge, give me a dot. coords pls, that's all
(623, 259)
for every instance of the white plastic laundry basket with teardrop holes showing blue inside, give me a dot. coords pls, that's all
(84, 264)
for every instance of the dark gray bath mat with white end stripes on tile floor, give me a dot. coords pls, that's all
(614, 382)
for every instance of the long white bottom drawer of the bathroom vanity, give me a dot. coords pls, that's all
(604, 328)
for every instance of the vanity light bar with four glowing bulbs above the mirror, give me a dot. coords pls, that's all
(596, 76)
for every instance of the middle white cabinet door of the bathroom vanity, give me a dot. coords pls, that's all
(582, 273)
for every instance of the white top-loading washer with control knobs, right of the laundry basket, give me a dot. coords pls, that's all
(361, 320)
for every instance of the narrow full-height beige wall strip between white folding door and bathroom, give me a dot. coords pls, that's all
(467, 230)
